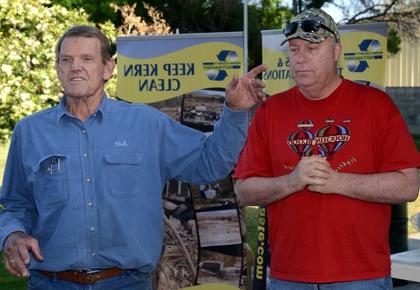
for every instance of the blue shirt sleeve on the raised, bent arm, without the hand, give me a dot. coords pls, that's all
(190, 155)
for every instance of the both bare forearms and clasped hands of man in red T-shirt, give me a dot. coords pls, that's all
(316, 173)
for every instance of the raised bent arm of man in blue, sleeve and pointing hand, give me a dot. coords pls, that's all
(190, 156)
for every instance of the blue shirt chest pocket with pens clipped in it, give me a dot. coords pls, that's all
(51, 182)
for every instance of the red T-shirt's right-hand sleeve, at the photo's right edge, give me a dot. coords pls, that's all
(397, 149)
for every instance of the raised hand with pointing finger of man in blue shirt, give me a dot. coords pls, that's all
(244, 92)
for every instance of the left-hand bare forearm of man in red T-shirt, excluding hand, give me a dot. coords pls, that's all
(262, 190)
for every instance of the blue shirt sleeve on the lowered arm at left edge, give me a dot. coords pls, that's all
(17, 206)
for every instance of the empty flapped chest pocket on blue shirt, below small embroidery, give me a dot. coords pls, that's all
(123, 173)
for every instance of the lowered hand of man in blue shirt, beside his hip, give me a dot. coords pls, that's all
(16, 253)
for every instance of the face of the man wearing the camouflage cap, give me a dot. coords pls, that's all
(313, 63)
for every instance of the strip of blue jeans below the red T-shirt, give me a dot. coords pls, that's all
(373, 284)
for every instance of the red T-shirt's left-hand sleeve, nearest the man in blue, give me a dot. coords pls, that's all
(254, 159)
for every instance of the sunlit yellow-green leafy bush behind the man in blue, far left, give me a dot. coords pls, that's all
(29, 31)
